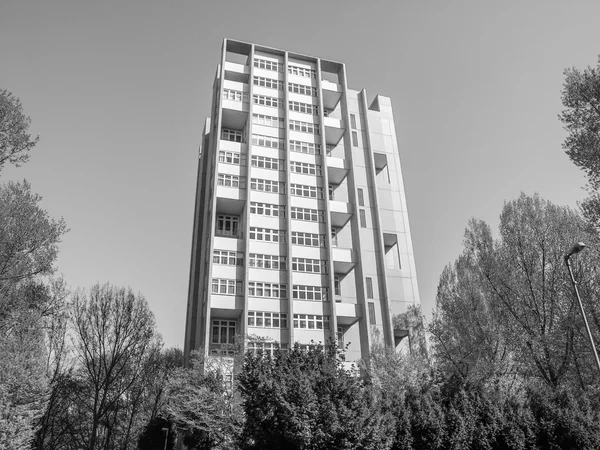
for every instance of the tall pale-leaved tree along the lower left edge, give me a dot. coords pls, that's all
(30, 303)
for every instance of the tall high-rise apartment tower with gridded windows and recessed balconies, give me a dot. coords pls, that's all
(300, 228)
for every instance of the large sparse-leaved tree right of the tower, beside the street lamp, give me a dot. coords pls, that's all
(507, 303)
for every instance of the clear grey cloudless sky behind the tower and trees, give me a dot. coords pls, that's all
(118, 92)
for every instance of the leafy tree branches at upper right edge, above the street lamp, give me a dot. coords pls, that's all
(581, 118)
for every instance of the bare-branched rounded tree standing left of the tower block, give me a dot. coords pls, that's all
(115, 342)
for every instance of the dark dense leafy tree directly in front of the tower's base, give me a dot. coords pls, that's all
(308, 400)
